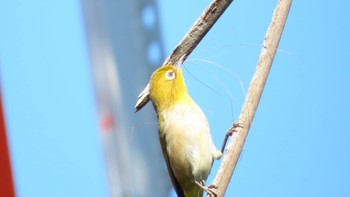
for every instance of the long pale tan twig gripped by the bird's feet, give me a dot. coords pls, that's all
(255, 90)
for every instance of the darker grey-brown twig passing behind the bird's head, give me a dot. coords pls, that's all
(192, 38)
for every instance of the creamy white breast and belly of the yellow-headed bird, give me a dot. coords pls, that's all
(185, 134)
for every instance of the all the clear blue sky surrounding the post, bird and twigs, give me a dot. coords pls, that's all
(298, 144)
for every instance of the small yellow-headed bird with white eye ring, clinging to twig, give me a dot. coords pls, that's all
(184, 134)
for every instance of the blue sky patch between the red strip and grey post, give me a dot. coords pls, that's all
(49, 101)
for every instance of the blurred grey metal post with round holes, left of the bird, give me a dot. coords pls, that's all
(125, 47)
